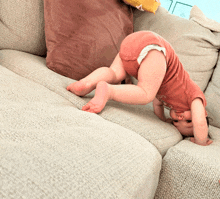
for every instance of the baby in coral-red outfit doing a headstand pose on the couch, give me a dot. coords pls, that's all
(161, 79)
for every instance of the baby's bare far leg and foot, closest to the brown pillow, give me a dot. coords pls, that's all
(113, 75)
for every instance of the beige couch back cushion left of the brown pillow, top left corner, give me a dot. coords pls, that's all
(22, 26)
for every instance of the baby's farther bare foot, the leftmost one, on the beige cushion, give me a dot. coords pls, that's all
(80, 88)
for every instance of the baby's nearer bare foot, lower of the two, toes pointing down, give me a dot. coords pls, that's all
(98, 102)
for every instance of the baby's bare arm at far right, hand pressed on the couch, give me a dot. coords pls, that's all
(200, 127)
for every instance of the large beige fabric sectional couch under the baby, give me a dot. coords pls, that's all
(49, 148)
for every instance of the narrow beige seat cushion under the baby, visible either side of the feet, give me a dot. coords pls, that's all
(139, 119)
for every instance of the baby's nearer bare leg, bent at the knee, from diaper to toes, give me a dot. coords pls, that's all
(150, 76)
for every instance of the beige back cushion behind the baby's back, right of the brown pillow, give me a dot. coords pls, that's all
(196, 46)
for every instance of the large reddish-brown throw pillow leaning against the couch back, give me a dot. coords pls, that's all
(82, 36)
